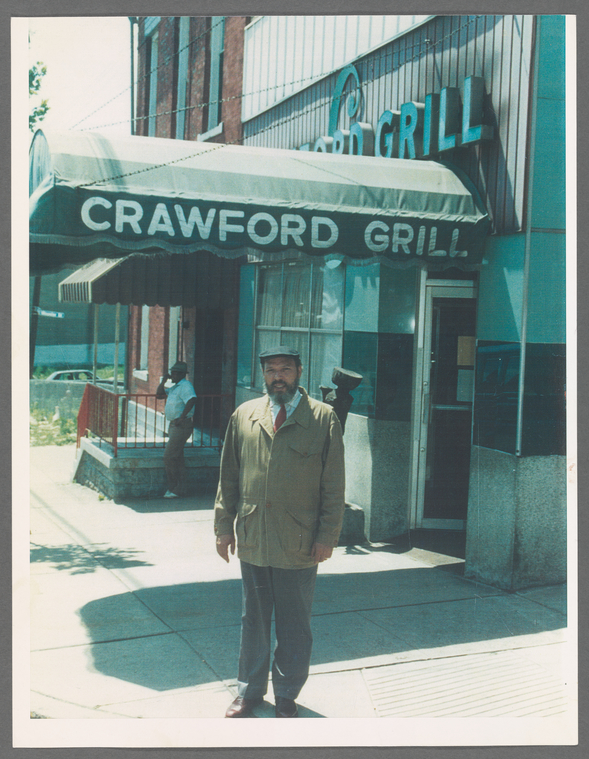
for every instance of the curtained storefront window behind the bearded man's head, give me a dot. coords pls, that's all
(301, 305)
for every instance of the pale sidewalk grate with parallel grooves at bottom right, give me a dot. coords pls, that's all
(500, 684)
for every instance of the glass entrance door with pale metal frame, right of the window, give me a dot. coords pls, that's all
(445, 405)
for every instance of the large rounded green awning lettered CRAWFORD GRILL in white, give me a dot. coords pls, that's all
(93, 196)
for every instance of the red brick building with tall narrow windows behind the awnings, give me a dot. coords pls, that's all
(189, 87)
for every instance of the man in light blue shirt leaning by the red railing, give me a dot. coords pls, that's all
(180, 400)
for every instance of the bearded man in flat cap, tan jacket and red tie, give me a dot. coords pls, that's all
(282, 483)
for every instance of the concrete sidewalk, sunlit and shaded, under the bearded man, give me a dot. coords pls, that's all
(135, 616)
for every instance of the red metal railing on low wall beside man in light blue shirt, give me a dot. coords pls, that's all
(137, 420)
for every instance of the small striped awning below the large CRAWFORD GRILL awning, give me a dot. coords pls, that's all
(193, 279)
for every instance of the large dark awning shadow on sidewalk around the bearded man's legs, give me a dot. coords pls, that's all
(356, 615)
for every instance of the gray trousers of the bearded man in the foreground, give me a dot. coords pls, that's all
(289, 593)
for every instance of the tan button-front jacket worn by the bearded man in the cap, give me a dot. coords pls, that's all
(286, 489)
